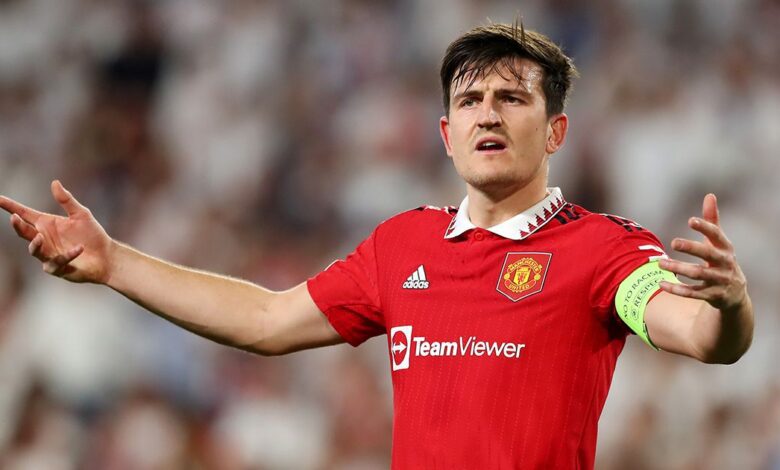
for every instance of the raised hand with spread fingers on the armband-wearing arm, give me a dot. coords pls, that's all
(723, 284)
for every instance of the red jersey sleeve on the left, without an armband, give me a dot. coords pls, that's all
(347, 293)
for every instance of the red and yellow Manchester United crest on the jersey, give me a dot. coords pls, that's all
(523, 274)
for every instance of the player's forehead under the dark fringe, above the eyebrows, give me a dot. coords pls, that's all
(515, 73)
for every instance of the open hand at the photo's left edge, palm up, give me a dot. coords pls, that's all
(75, 247)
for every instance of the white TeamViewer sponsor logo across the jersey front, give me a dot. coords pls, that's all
(403, 345)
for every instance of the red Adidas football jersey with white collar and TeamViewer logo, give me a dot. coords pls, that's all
(502, 342)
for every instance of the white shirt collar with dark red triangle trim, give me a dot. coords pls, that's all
(518, 227)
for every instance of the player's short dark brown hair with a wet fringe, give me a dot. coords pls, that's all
(483, 49)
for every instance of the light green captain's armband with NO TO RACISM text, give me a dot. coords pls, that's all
(635, 292)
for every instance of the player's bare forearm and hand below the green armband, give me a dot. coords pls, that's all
(711, 321)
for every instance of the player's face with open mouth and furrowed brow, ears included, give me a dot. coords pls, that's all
(498, 133)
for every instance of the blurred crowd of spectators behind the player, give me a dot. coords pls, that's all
(263, 139)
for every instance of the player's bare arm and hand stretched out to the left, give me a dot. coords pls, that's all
(226, 310)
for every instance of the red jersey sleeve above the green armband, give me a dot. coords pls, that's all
(622, 254)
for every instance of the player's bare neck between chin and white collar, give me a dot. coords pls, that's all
(487, 209)
